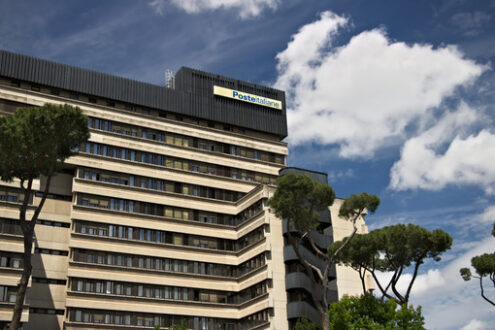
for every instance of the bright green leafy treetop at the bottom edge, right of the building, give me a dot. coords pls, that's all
(368, 312)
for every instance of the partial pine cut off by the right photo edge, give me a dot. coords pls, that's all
(484, 265)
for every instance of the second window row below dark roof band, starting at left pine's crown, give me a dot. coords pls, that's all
(183, 140)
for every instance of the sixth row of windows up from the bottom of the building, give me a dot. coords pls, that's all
(158, 184)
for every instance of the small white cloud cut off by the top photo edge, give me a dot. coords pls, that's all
(245, 8)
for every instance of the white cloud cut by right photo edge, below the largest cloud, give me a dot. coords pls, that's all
(467, 160)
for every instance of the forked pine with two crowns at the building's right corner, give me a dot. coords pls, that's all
(299, 200)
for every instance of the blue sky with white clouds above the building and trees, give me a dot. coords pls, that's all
(395, 98)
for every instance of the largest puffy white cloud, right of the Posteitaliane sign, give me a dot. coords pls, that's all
(362, 95)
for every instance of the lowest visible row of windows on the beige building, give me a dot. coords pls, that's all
(150, 320)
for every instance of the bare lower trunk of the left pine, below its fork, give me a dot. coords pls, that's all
(22, 286)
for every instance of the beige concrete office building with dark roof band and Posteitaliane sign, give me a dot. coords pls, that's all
(161, 217)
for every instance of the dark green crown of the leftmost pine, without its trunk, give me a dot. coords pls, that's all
(35, 141)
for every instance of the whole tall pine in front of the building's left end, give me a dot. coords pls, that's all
(34, 142)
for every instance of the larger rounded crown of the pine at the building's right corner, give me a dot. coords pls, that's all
(300, 199)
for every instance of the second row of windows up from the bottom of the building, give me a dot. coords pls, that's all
(168, 292)
